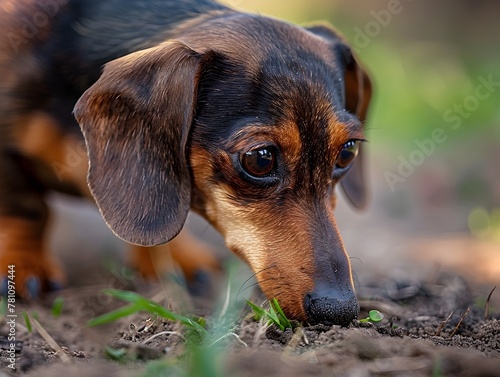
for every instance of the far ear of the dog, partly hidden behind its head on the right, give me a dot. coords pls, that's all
(357, 94)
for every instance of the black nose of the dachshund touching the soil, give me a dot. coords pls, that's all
(331, 308)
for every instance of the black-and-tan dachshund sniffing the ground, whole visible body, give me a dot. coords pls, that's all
(247, 120)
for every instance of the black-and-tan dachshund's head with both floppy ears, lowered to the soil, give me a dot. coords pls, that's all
(251, 122)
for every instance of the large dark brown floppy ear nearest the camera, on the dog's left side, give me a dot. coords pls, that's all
(136, 119)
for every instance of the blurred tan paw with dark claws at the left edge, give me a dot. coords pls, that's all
(28, 274)
